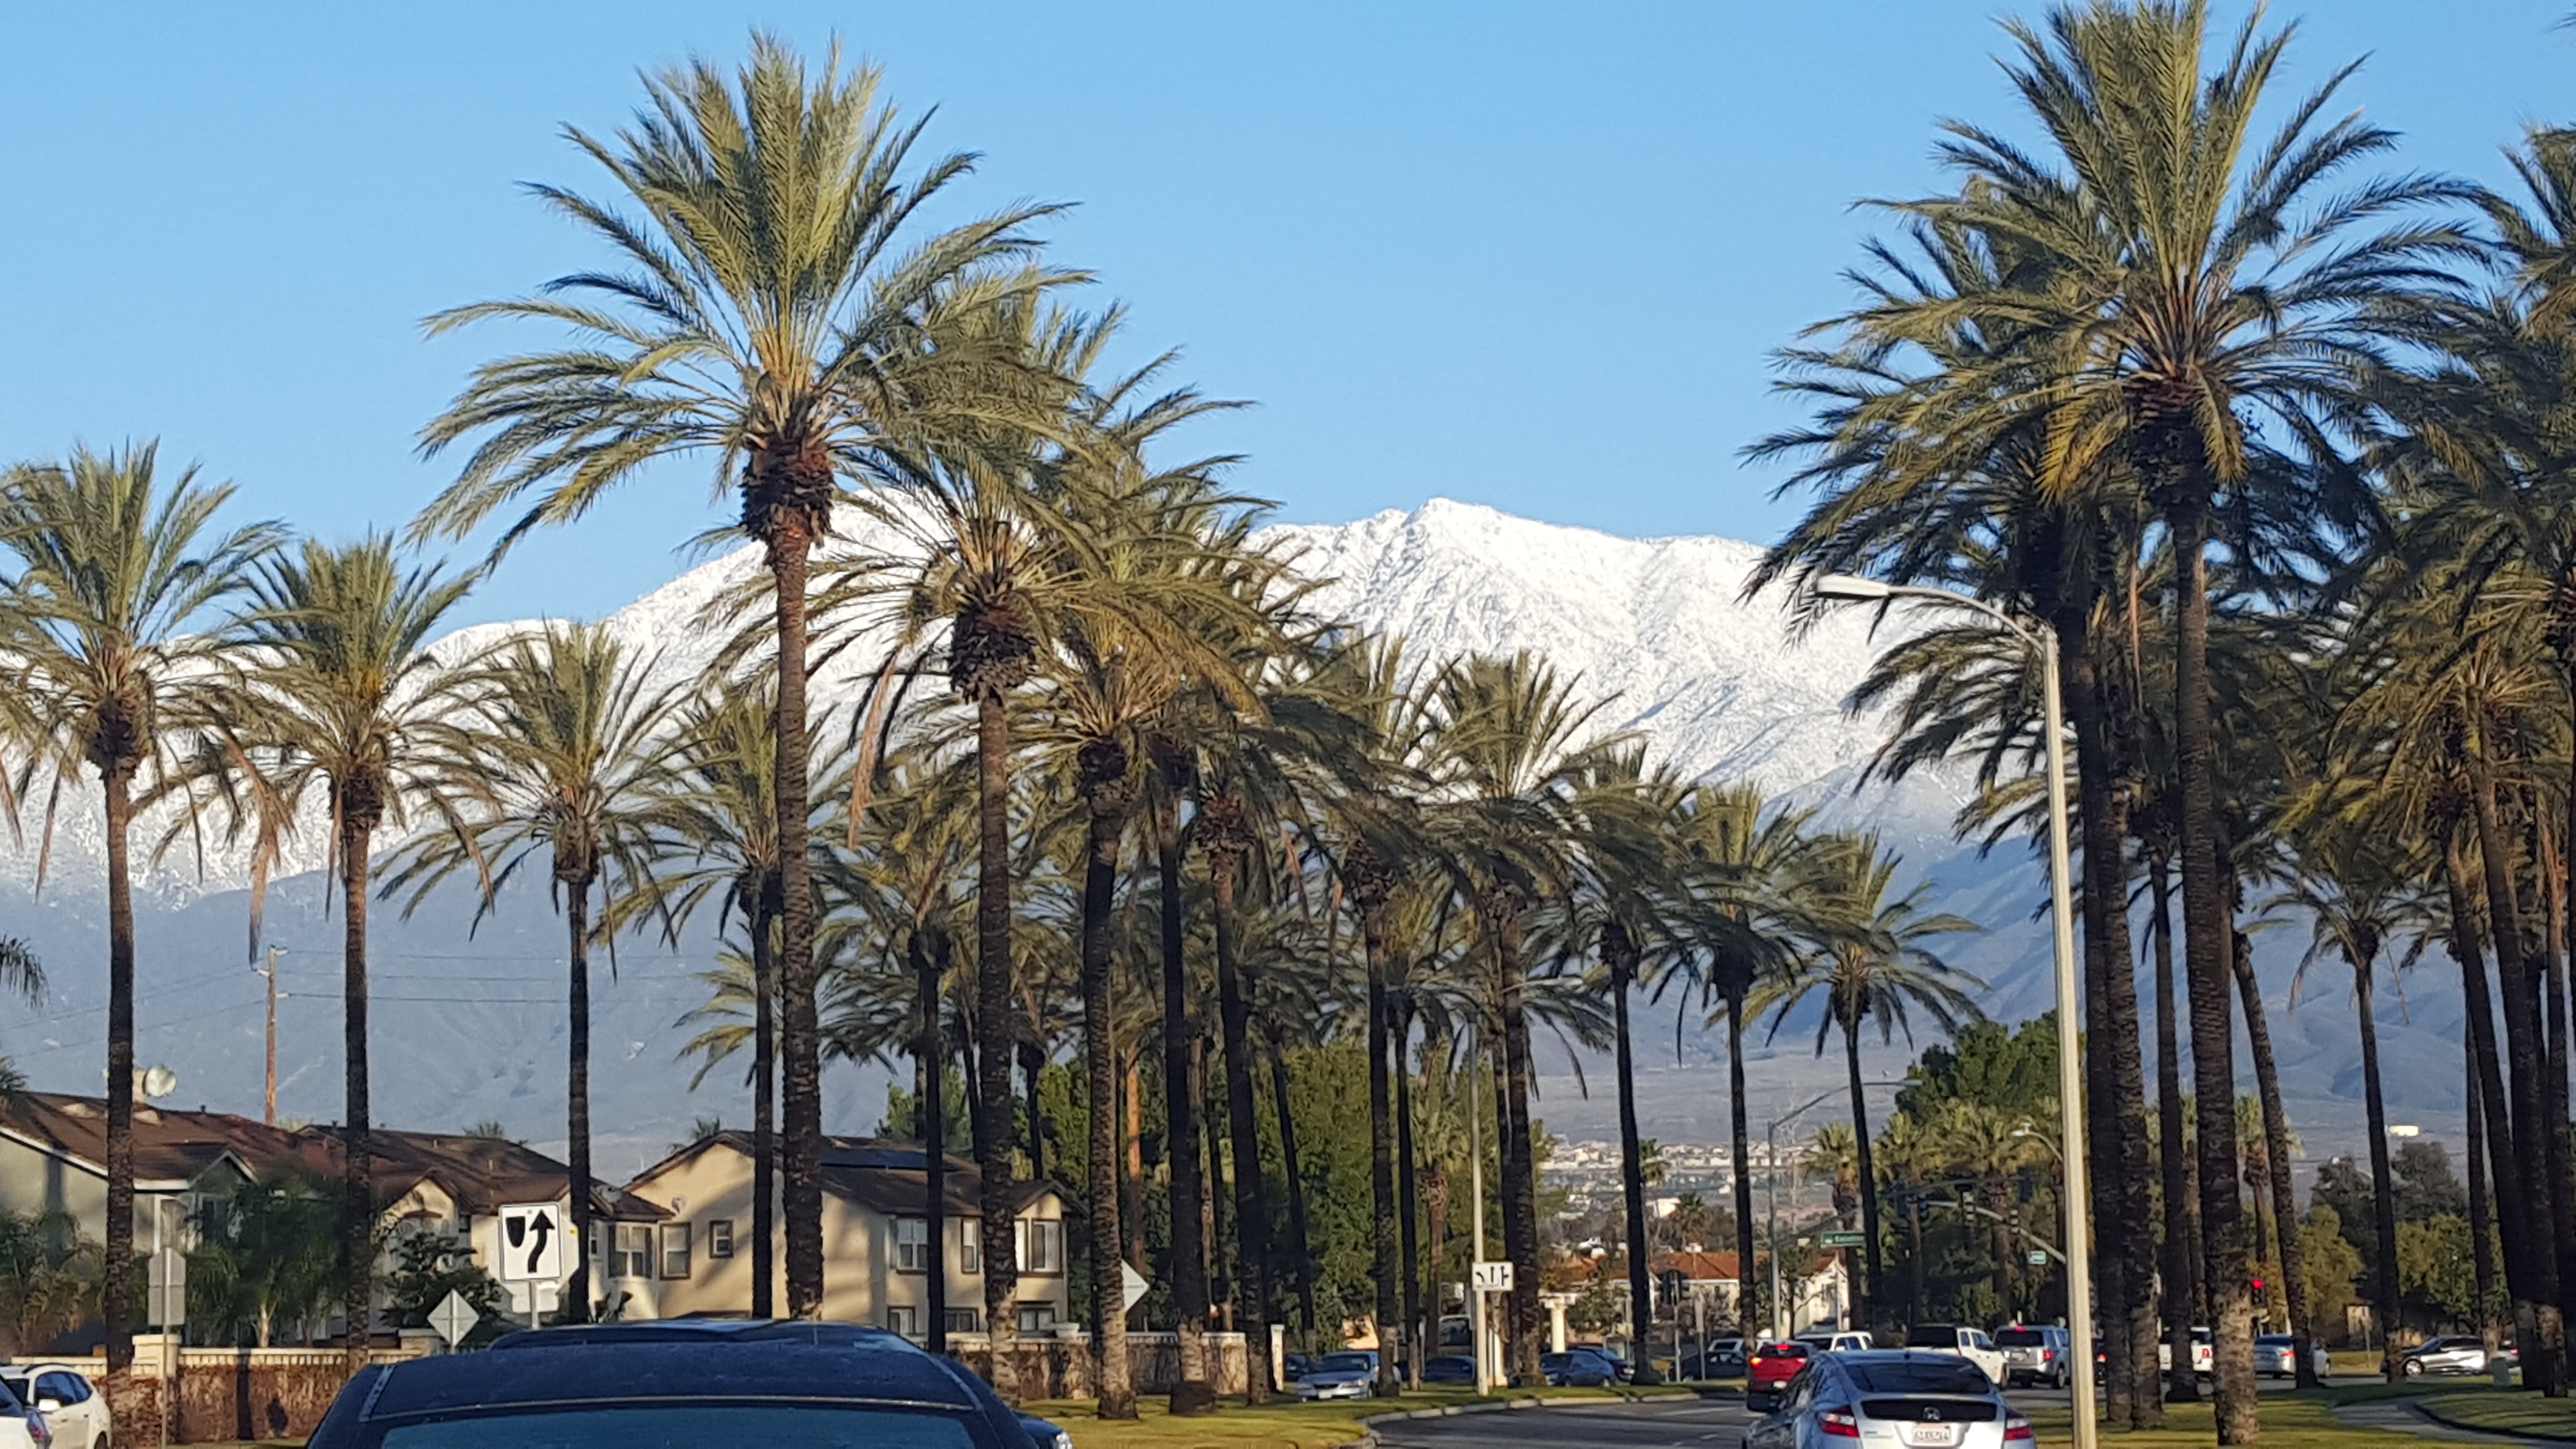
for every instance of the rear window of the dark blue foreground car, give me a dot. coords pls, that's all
(687, 1427)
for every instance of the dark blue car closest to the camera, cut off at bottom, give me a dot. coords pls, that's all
(687, 1381)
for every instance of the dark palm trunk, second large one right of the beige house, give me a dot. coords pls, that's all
(1189, 1265)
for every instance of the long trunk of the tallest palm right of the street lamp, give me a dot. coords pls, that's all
(2206, 948)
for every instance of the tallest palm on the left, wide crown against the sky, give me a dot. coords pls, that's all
(777, 313)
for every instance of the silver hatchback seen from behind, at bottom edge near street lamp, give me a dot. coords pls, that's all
(1892, 1396)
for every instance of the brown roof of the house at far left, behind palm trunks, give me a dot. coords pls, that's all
(179, 1146)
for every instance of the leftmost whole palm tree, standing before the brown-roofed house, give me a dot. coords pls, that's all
(104, 620)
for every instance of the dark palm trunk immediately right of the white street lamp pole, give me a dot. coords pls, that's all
(2116, 1074)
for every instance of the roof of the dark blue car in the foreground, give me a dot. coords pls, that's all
(674, 1360)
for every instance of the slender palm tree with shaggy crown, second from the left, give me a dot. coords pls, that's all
(349, 700)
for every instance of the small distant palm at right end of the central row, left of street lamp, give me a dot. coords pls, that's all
(1869, 960)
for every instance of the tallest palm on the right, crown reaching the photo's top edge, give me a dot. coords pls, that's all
(2196, 282)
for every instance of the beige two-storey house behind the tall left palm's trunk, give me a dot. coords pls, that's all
(875, 1229)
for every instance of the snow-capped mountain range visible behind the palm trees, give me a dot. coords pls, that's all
(470, 1025)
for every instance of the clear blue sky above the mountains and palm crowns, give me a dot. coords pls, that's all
(1516, 254)
